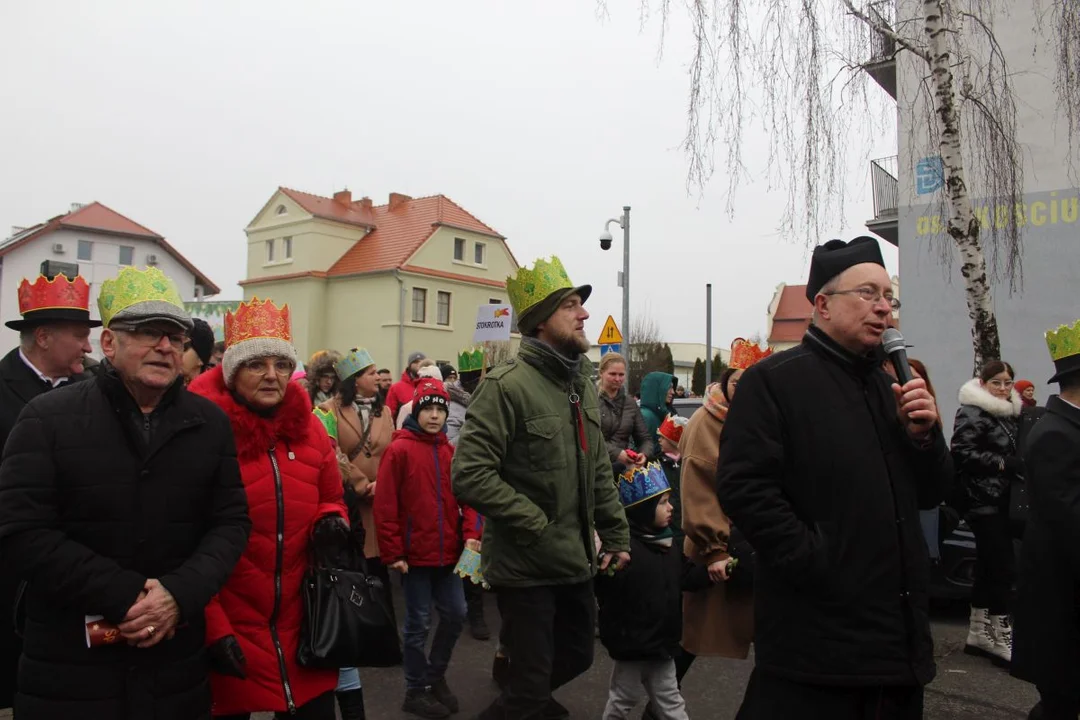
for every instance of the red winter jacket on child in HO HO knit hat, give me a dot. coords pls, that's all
(418, 519)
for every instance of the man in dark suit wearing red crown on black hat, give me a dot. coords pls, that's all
(55, 338)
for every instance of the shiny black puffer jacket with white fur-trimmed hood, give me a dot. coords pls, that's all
(984, 446)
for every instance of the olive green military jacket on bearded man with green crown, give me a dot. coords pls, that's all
(520, 463)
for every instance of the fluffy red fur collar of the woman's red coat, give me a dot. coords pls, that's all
(256, 434)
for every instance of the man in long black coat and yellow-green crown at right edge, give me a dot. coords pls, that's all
(1047, 623)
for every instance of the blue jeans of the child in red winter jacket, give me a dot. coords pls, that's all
(425, 588)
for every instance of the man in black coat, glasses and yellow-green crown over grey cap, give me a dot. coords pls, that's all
(123, 509)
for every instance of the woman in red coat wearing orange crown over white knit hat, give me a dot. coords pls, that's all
(294, 494)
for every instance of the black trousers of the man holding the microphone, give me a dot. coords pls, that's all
(772, 698)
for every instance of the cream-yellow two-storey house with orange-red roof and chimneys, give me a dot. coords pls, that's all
(397, 278)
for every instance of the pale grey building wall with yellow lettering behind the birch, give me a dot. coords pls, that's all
(935, 315)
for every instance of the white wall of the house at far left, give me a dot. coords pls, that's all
(26, 262)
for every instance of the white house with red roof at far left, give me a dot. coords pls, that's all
(98, 240)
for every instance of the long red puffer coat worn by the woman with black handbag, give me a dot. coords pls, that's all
(266, 623)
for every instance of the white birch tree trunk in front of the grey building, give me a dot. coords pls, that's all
(963, 225)
